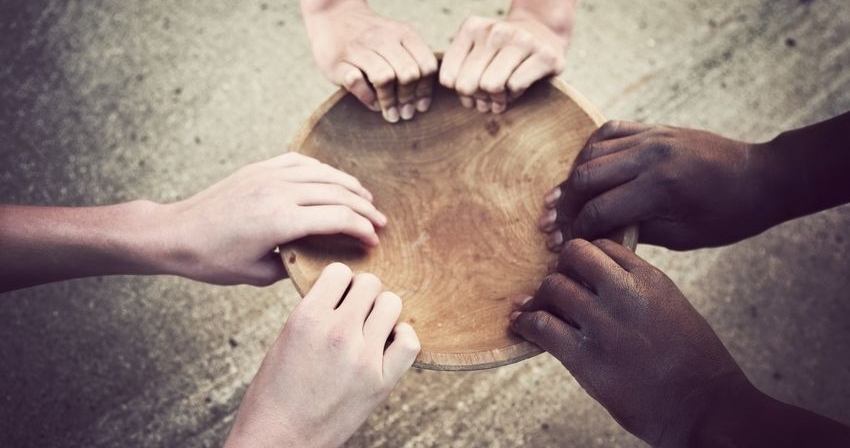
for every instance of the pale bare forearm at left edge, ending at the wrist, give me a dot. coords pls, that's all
(46, 244)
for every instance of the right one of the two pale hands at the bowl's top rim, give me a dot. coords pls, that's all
(492, 62)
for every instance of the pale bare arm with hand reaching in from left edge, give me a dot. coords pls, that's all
(226, 234)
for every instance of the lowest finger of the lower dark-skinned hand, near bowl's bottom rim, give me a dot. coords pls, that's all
(554, 335)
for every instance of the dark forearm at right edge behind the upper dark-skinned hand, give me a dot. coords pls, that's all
(806, 169)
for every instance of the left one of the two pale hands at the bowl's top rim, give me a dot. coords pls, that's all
(384, 63)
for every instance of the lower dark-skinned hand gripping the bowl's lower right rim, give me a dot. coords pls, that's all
(632, 341)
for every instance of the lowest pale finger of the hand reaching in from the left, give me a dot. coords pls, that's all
(329, 220)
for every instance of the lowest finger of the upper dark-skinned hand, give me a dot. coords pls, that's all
(627, 204)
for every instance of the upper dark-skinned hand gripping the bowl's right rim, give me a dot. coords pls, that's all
(686, 189)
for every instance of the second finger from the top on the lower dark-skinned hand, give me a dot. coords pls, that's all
(587, 264)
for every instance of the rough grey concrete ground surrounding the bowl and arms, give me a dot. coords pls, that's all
(105, 101)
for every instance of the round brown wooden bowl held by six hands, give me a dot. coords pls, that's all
(462, 191)
